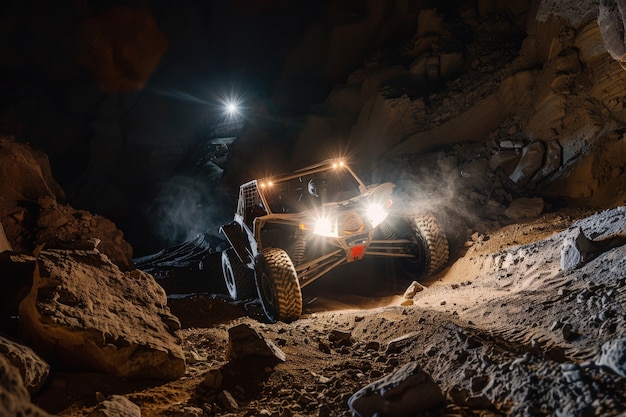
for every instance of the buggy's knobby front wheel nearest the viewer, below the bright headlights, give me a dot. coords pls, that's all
(278, 286)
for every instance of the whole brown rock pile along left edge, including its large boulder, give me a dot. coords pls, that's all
(68, 280)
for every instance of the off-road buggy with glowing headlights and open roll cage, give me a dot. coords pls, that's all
(290, 230)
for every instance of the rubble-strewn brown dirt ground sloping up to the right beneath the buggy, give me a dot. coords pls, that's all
(502, 331)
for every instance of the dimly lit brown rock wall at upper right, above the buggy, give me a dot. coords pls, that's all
(560, 96)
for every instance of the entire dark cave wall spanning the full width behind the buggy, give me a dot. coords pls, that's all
(536, 81)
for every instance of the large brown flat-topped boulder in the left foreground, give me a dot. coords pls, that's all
(84, 313)
